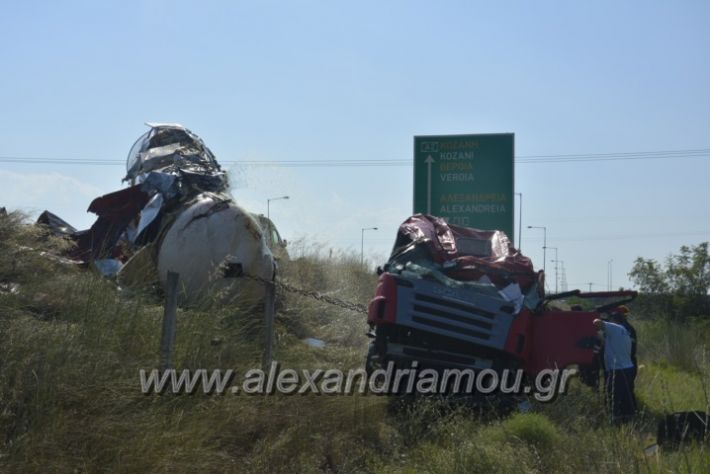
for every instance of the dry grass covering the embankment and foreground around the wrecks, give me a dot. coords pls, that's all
(71, 345)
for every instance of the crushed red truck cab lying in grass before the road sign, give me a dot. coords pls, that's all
(457, 297)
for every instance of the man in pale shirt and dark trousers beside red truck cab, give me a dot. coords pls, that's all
(619, 370)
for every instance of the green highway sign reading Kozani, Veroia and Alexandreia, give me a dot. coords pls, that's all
(466, 179)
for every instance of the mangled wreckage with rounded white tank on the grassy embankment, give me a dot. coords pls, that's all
(176, 215)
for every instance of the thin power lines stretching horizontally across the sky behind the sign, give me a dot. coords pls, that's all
(525, 159)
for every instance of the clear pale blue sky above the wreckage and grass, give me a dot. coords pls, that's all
(357, 80)
